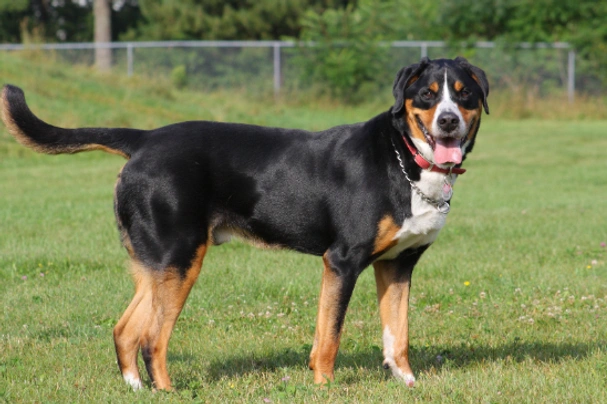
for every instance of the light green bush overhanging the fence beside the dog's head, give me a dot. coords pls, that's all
(347, 59)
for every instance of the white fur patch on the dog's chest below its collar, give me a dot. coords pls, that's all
(426, 221)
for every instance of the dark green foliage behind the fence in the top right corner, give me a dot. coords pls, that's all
(581, 23)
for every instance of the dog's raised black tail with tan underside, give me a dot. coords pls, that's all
(44, 138)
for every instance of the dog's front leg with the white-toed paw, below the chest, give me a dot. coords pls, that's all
(393, 280)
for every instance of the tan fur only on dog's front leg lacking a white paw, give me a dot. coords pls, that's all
(326, 343)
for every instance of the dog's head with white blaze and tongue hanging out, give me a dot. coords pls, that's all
(440, 104)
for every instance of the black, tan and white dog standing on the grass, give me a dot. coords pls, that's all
(375, 193)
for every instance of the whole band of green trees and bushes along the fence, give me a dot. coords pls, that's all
(328, 22)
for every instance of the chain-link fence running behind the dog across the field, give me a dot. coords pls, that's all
(544, 69)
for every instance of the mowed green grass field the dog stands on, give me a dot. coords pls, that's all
(509, 304)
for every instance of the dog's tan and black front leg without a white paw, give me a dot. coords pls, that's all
(338, 282)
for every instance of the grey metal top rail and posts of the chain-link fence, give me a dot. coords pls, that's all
(279, 60)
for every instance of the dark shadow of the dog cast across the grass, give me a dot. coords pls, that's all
(422, 359)
